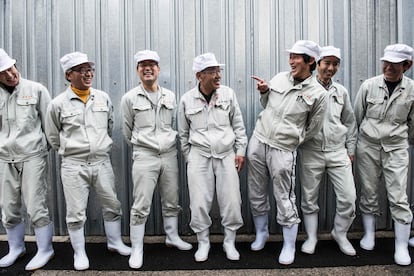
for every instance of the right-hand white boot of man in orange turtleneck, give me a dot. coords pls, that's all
(114, 238)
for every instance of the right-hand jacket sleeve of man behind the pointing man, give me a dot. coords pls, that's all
(348, 119)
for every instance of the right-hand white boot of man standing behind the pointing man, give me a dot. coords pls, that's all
(341, 227)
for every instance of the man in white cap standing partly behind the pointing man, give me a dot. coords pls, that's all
(330, 152)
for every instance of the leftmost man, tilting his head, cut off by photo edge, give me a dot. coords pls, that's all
(23, 163)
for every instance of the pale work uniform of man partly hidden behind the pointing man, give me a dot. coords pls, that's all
(328, 152)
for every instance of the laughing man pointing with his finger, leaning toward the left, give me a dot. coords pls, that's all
(294, 103)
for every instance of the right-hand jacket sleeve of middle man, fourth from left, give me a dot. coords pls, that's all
(237, 123)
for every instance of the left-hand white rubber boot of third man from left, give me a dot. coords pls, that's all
(137, 240)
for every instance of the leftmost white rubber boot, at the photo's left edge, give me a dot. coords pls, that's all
(15, 237)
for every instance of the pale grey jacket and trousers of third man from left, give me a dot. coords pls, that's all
(149, 128)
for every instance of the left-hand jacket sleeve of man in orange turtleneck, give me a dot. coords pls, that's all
(53, 126)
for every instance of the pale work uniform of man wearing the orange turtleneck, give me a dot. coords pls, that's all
(81, 133)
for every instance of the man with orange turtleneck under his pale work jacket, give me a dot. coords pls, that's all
(79, 126)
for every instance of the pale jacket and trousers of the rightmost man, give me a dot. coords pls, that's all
(386, 127)
